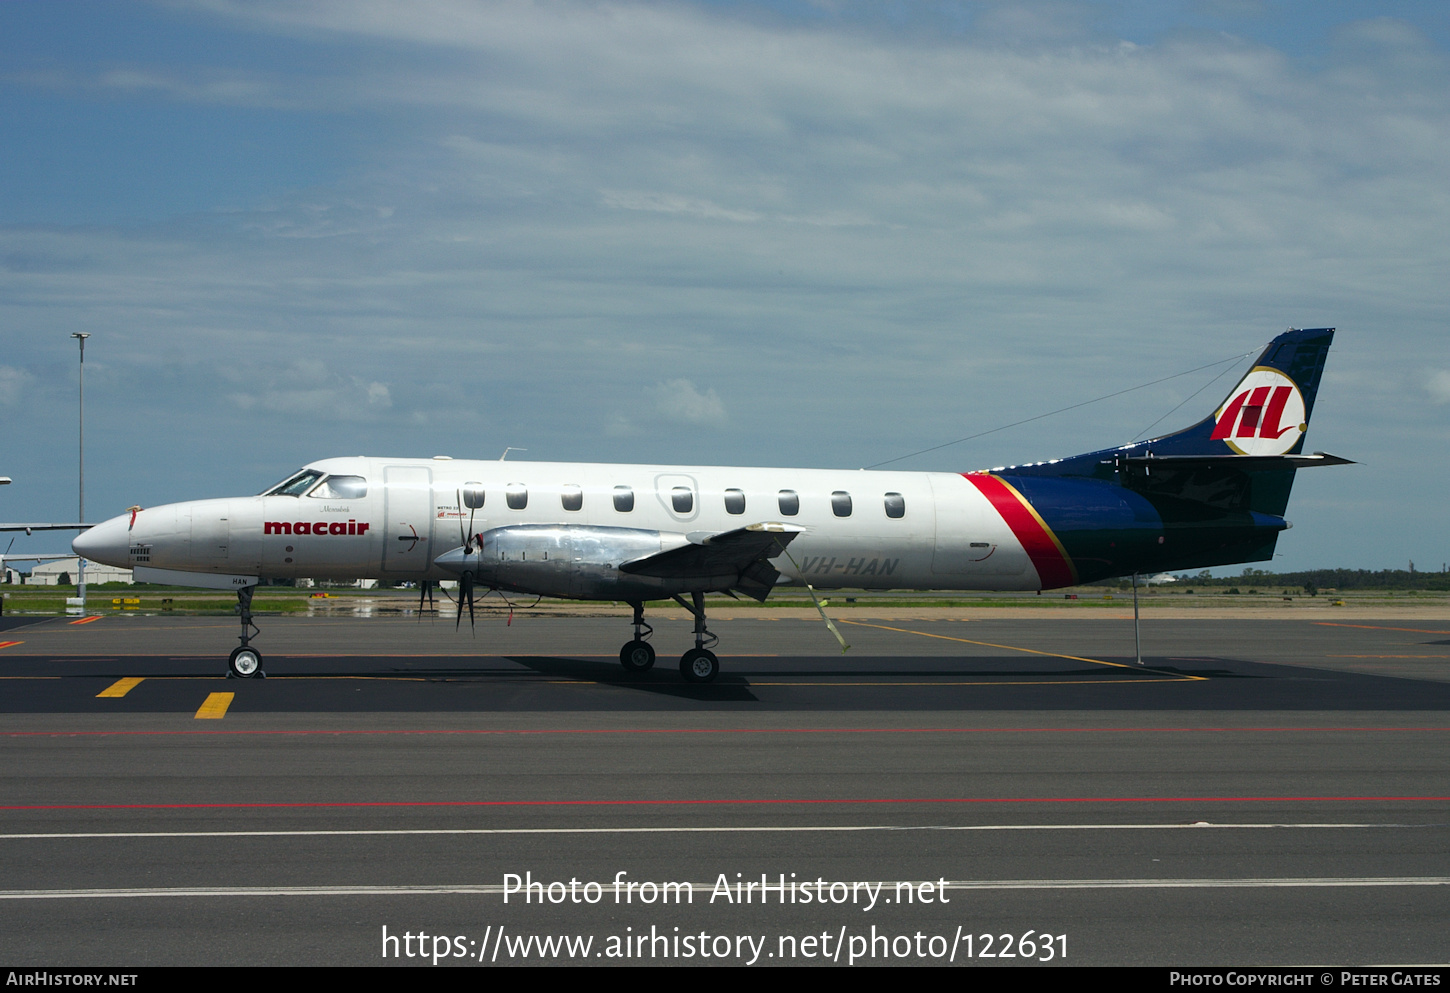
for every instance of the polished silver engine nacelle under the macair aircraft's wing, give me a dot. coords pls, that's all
(573, 562)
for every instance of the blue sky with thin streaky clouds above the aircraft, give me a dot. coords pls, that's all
(792, 233)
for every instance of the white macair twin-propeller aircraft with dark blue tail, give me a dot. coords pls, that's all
(1210, 495)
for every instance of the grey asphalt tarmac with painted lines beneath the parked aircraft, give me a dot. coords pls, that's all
(1259, 792)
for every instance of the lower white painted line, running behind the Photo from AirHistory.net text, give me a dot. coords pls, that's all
(494, 889)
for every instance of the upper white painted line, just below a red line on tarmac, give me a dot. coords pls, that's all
(360, 833)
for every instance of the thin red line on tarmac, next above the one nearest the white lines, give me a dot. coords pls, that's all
(705, 731)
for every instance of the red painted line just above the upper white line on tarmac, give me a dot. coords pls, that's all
(732, 802)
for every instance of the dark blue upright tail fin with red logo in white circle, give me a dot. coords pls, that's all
(1268, 414)
